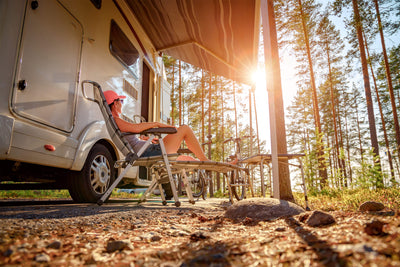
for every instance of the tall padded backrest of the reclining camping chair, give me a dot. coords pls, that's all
(112, 128)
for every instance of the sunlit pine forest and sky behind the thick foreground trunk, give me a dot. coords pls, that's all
(340, 109)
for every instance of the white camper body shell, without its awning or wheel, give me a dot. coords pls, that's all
(47, 47)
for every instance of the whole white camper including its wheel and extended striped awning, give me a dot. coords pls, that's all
(51, 135)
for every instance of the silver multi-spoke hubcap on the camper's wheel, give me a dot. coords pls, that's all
(100, 174)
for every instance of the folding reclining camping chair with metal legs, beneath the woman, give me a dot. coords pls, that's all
(158, 164)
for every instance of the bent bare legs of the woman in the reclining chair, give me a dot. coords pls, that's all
(173, 141)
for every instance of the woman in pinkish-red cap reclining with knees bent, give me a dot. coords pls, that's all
(172, 142)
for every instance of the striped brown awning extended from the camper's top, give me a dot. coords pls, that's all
(220, 36)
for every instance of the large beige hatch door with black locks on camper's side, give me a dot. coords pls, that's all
(48, 66)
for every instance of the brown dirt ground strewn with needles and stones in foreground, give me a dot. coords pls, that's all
(125, 234)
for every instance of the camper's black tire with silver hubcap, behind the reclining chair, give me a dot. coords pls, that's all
(97, 175)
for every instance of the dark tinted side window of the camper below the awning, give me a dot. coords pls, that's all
(123, 49)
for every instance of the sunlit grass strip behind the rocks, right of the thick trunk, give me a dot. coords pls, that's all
(350, 199)
